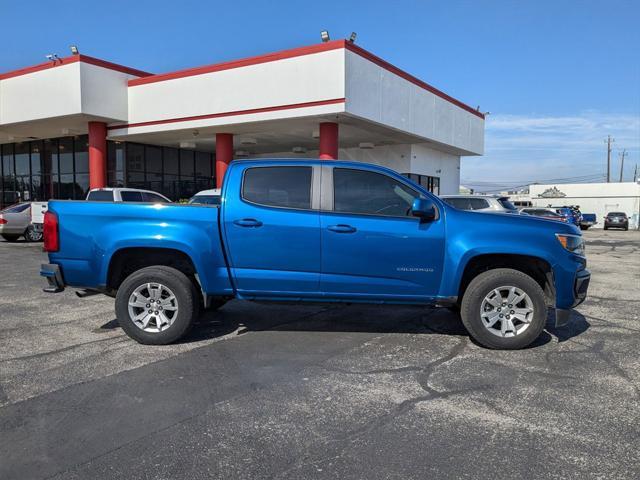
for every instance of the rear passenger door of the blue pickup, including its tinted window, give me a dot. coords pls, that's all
(272, 229)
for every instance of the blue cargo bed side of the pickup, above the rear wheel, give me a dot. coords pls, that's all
(92, 232)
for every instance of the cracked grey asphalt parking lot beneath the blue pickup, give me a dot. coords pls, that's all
(318, 392)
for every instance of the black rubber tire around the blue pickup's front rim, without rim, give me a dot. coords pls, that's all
(483, 285)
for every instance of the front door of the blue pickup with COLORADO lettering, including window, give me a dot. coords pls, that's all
(372, 248)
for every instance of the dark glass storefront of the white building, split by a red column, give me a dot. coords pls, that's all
(59, 168)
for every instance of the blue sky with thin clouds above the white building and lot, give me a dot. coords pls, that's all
(557, 76)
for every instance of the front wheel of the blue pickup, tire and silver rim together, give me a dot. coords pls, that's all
(504, 309)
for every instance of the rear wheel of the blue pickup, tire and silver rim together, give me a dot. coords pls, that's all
(156, 305)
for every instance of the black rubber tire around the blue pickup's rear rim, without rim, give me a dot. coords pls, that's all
(182, 289)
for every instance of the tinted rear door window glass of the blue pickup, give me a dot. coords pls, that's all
(283, 187)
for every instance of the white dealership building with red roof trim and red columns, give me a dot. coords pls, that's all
(75, 123)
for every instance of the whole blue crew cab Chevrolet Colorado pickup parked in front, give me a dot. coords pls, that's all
(316, 231)
